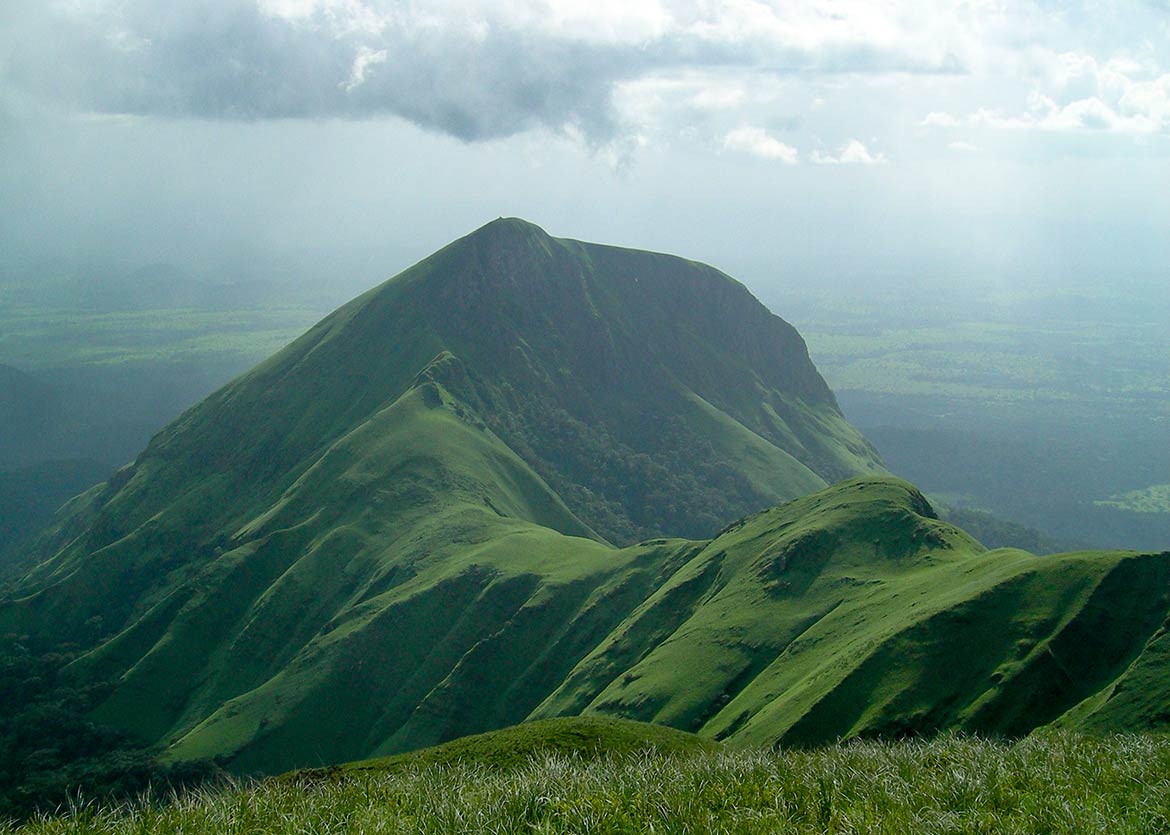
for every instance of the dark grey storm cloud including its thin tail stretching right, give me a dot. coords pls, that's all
(219, 60)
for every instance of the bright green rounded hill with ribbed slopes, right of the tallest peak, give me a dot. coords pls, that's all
(856, 612)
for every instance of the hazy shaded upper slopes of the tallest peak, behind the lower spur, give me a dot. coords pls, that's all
(587, 361)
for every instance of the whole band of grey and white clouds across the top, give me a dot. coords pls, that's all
(601, 73)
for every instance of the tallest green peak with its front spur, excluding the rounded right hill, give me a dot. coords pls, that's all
(465, 439)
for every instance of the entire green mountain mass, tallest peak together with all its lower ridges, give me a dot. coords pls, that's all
(405, 528)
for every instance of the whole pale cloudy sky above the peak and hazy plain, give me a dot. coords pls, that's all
(789, 143)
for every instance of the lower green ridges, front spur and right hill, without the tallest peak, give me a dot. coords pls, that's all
(848, 613)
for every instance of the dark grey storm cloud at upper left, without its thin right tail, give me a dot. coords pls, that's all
(230, 61)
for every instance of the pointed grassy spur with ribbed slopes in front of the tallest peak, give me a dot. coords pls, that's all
(435, 563)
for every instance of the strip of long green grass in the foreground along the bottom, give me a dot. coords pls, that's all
(1063, 784)
